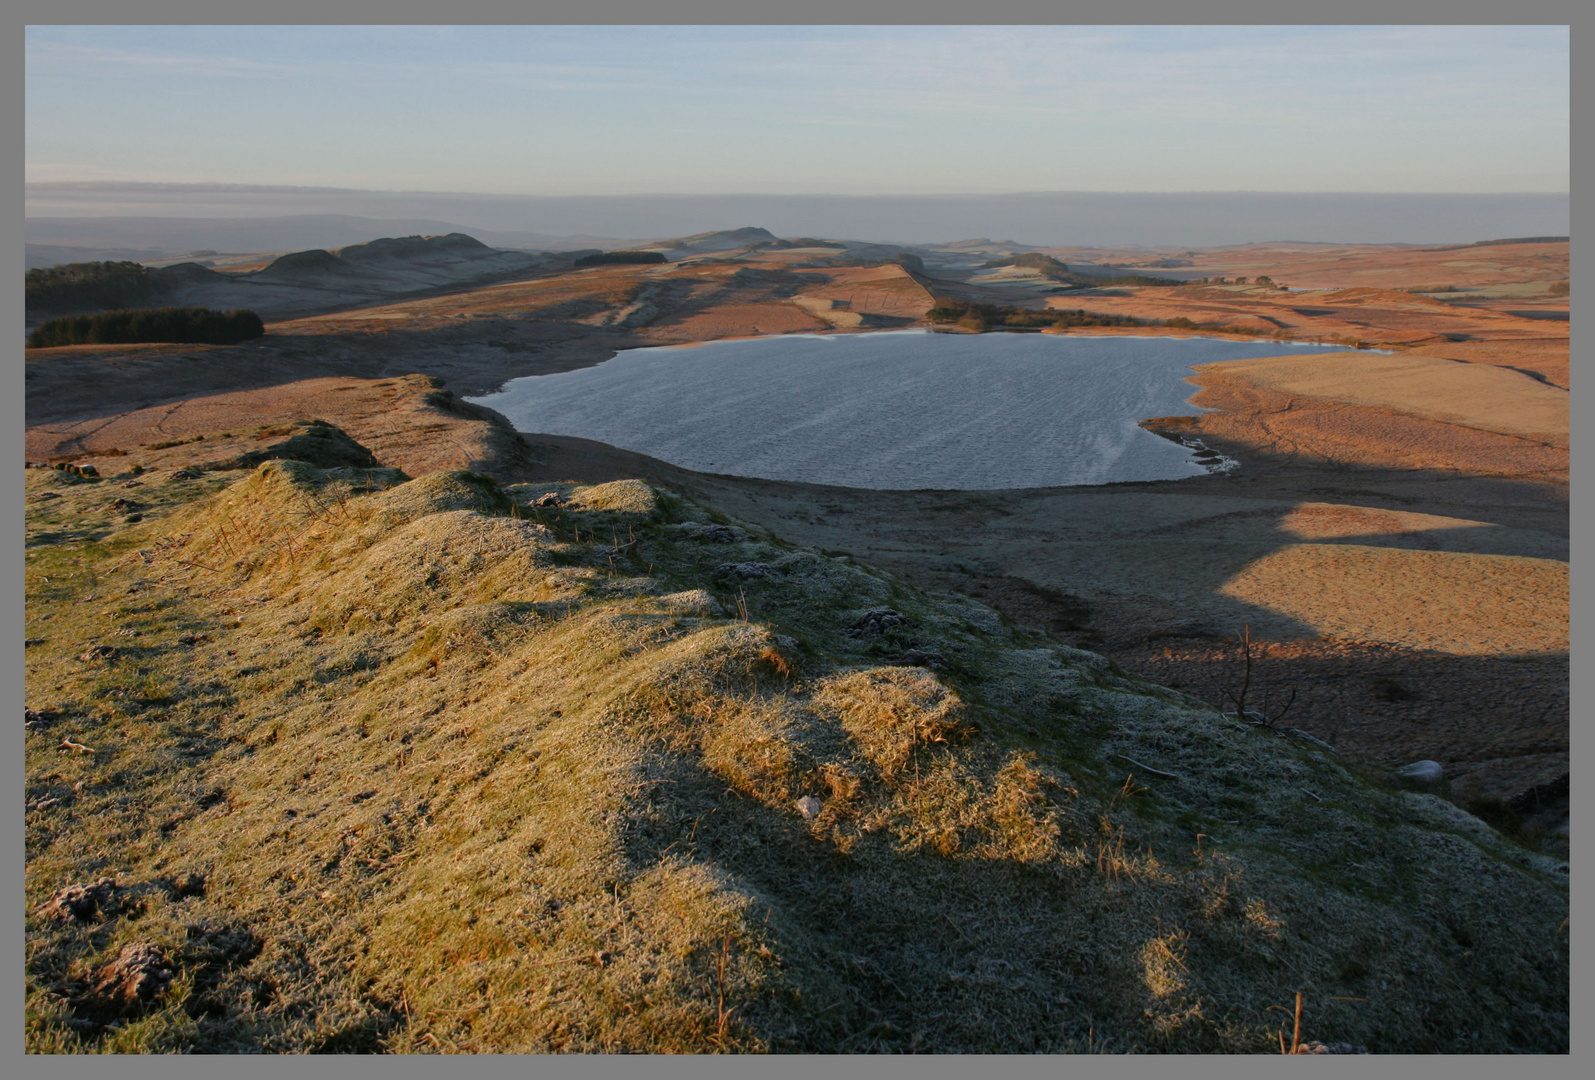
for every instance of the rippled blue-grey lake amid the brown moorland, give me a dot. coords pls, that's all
(907, 409)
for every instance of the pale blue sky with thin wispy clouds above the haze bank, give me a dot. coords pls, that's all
(805, 111)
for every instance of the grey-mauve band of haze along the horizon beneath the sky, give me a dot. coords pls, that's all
(248, 218)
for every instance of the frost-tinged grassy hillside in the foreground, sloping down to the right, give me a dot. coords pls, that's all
(455, 779)
